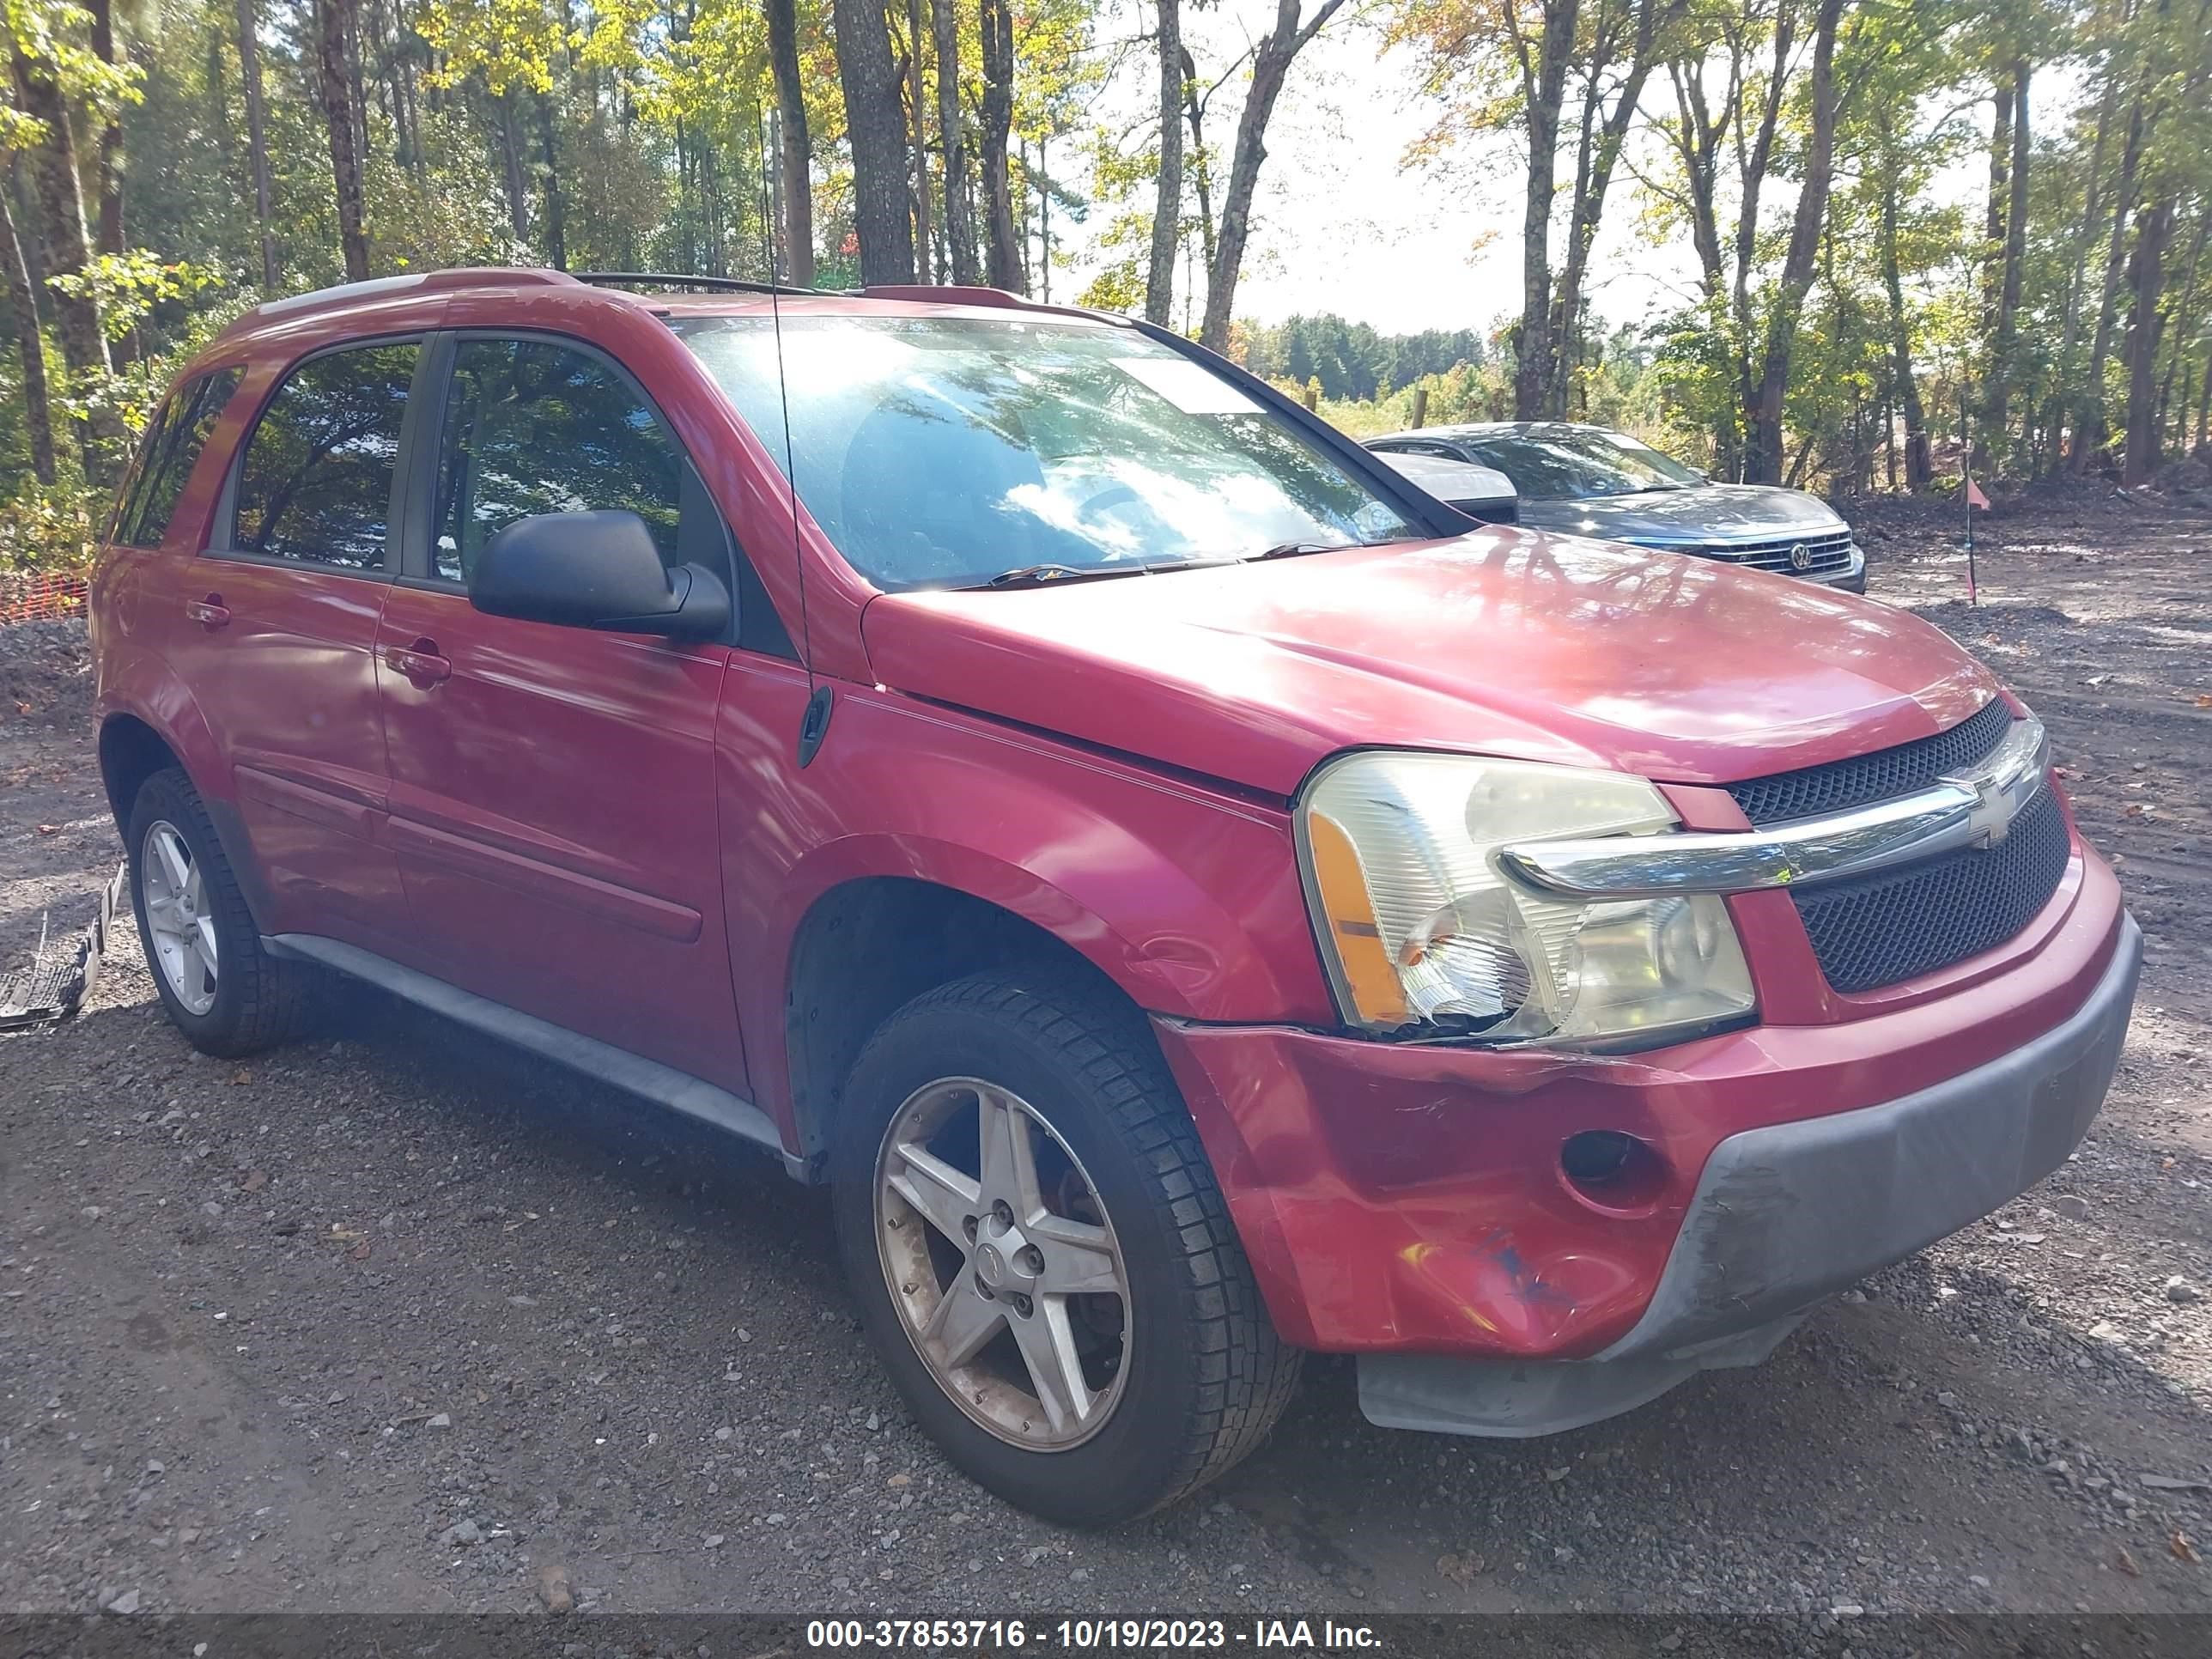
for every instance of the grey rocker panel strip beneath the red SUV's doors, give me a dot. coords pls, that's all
(632, 1074)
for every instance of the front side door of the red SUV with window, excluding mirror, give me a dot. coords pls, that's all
(554, 789)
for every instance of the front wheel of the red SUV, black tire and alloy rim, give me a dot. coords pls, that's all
(1043, 1255)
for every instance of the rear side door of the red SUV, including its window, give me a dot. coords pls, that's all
(280, 632)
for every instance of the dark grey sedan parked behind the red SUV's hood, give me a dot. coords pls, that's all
(1589, 481)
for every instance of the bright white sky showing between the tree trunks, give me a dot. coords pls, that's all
(1346, 227)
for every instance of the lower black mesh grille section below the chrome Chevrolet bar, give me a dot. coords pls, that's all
(1921, 919)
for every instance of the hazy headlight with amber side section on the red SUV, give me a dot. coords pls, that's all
(1426, 937)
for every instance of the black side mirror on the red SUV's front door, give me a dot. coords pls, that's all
(596, 572)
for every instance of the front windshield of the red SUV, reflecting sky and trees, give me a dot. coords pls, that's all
(943, 452)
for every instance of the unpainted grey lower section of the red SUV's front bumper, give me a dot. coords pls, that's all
(1791, 1213)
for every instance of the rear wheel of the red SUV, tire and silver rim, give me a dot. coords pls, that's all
(220, 988)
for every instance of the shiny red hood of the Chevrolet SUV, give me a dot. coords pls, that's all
(1503, 643)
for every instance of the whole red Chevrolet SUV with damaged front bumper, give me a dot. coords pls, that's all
(1193, 897)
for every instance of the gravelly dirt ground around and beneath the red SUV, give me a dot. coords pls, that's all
(404, 1322)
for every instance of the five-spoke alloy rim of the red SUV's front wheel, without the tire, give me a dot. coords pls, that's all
(1003, 1264)
